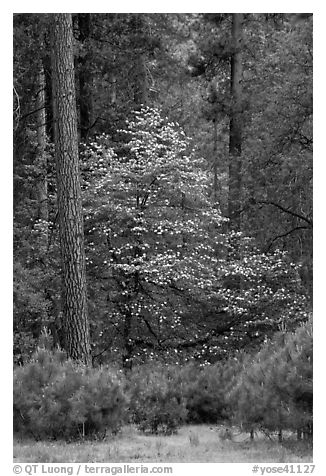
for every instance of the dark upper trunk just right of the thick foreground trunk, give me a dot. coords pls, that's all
(85, 76)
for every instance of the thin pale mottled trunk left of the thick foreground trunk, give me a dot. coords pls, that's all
(42, 185)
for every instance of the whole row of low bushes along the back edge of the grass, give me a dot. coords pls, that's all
(269, 390)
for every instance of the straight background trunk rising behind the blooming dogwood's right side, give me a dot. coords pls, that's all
(235, 126)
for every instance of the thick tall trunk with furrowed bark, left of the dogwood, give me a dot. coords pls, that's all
(75, 316)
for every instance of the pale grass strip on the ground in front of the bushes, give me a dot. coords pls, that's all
(192, 444)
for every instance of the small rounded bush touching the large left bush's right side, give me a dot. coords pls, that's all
(157, 404)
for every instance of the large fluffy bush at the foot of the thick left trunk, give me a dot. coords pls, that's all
(57, 398)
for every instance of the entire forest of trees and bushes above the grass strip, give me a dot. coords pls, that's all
(162, 224)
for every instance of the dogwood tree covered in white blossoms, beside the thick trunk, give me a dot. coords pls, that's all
(158, 252)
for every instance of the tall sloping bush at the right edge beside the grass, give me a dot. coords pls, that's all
(274, 389)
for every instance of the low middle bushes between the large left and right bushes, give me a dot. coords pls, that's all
(164, 397)
